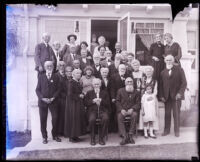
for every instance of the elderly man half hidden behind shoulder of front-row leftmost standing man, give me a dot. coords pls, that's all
(61, 98)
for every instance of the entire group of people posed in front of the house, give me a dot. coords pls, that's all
(82, 86)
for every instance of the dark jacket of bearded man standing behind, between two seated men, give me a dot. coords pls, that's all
(116, 84)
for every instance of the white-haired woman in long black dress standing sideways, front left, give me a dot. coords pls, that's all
(75, 124)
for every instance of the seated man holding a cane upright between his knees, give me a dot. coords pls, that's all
(97, 102)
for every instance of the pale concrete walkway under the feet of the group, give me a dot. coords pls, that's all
(187, 135)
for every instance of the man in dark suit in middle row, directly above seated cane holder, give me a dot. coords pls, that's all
(96, 66)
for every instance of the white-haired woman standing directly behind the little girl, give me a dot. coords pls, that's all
(149, 81)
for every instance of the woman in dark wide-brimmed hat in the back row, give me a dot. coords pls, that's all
(71, 41)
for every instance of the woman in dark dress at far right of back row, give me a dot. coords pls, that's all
(172, 48)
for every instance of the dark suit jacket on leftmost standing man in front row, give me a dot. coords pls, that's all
(47, 88)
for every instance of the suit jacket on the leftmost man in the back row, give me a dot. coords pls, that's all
(42, 54)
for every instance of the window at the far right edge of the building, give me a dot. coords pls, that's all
(192, 47)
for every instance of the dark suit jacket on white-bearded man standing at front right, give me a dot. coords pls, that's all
(171, 85)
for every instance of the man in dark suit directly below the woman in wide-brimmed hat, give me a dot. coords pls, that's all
(68, 58)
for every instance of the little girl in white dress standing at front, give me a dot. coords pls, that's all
(149, 110)
